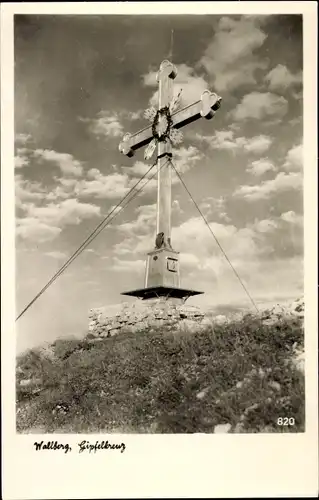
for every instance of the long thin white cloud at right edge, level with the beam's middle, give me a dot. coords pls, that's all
(282, 182)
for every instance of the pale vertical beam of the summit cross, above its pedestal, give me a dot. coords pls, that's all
(165, 77)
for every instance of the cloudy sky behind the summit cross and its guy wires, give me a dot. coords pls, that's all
(83, 81)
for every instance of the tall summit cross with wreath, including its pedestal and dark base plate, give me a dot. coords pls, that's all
(162, 270)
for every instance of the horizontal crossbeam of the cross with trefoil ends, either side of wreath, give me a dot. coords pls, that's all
(206, 107)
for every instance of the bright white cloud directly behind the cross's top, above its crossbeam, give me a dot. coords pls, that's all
(192, 85)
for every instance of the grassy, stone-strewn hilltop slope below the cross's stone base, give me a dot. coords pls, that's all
(243, 375)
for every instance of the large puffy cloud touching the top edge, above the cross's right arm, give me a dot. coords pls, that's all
(229, 58)
